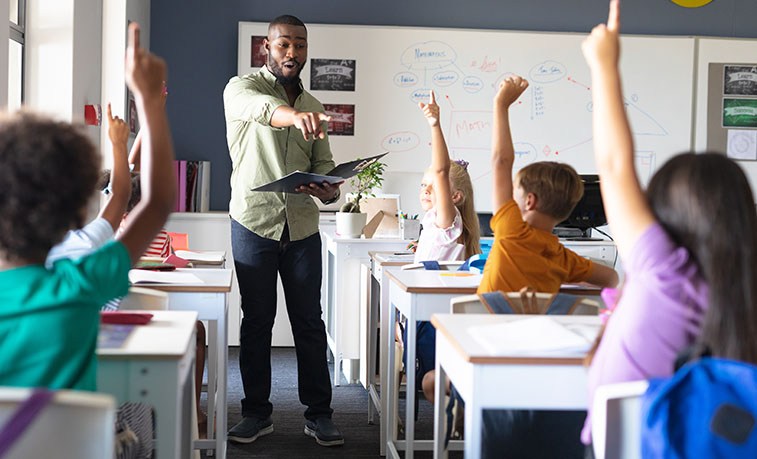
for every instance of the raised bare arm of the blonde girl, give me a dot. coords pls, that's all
(445, 207)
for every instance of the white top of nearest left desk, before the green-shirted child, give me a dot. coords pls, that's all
(166, 337)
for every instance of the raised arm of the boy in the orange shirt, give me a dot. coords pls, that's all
(503, 154)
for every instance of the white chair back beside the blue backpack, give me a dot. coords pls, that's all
(616, 420)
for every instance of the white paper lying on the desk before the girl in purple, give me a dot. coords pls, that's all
(534, 336)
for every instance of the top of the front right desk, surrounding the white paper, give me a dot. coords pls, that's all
(455, 329)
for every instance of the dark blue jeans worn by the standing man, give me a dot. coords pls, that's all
(257, 261)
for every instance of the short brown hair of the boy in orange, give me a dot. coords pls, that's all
(557, 186)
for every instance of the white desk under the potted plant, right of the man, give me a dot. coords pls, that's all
(341, 311)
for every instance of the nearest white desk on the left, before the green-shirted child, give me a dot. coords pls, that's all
(155, 366)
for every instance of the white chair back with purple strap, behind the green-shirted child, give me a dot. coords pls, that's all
(75, 424)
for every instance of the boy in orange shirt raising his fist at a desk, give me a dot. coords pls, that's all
(526, 253)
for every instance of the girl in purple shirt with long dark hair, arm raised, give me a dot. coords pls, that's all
(689, 245)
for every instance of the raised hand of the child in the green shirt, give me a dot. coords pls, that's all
(145, 72)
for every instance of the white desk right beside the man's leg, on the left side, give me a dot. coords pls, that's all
(210, 300)
